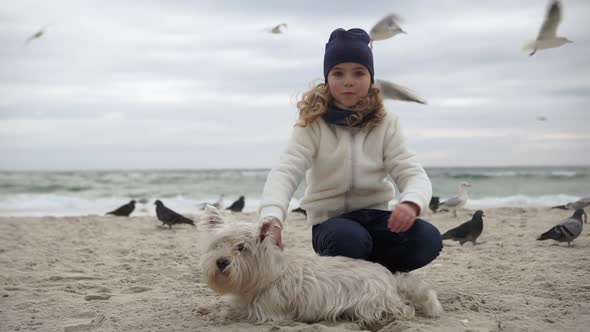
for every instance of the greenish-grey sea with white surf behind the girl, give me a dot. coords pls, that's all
(80, 193)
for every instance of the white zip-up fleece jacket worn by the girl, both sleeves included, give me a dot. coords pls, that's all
(347, 171)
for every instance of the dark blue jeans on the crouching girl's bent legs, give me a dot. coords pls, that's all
(363, 234)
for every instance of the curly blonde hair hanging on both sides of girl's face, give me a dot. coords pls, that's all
(315, 102)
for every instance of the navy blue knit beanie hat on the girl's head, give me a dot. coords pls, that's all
(348, 46)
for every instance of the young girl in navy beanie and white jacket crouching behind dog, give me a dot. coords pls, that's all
(350, 144)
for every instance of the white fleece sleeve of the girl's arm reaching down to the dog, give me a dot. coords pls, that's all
(284, 178)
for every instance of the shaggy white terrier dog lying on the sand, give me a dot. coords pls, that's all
(269, 284)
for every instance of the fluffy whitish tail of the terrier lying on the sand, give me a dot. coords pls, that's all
(420, 293)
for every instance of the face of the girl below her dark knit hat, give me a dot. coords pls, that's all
(349, 82)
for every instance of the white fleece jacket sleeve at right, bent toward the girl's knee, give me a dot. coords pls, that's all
(401, 164)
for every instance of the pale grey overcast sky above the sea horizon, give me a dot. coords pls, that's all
(201, 84)
